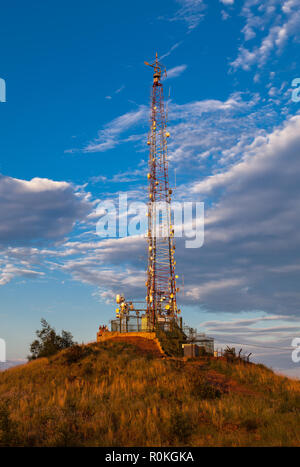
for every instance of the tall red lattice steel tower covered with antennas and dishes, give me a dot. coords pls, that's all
(161, 279)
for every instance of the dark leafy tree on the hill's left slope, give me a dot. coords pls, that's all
(48, 342)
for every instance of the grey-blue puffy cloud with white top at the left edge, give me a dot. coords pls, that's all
(39, 210)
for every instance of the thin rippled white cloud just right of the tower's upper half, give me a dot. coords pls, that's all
(212, 128)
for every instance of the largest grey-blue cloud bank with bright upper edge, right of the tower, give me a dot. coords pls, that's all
(256, 239)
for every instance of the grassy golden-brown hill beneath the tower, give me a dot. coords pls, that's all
(121, 394)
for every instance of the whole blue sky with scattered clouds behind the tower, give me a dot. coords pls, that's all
(73, 132)
